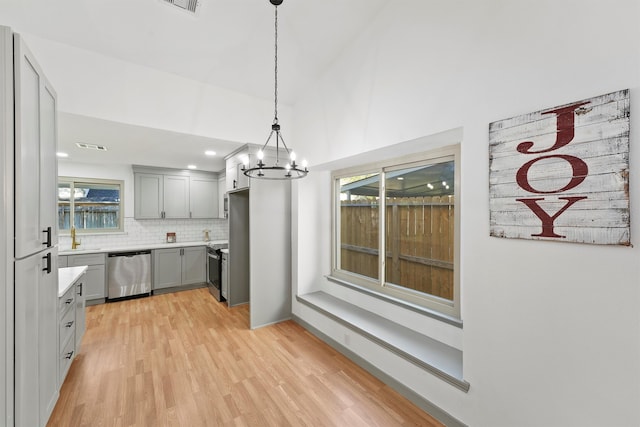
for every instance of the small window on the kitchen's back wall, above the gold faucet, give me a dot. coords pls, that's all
(91, 205)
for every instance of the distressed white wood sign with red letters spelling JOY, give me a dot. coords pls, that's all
(562, 174)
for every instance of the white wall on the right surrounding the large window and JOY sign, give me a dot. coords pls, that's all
(551, 330)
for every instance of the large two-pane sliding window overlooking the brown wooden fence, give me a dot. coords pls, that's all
(408, 207)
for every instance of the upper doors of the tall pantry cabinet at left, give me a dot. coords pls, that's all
(35, 146)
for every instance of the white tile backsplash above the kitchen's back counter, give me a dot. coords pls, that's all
(152, 231)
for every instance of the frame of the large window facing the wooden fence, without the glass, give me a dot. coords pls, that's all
(449, 308)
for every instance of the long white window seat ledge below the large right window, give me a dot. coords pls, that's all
(441, 360)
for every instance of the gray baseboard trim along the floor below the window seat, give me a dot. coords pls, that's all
(424, 404)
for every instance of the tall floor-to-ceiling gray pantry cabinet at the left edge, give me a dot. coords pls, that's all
(30, 373)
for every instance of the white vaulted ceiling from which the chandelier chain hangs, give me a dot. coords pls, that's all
(229, 44)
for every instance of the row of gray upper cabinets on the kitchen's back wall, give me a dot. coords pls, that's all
(174, 194)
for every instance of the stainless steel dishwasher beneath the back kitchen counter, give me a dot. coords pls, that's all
(128, 274)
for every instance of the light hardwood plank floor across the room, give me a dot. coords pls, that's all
(183, 359)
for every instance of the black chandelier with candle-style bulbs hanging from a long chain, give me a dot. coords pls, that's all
(276, 170)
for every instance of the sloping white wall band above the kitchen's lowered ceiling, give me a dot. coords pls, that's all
(95, 85)
